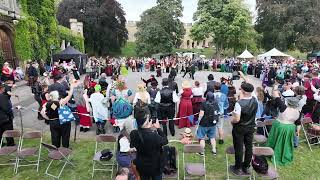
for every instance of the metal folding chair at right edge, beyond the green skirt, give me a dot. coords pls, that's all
(306, 123)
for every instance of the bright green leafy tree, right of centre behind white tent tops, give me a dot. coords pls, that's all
(227, 21)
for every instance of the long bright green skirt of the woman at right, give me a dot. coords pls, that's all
(281, 141)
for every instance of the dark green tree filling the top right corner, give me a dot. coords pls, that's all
(288, 24)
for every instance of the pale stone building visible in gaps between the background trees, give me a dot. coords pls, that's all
(187, 42)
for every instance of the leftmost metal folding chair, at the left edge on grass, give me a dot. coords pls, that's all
(9, 152)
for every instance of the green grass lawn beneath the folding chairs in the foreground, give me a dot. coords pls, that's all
(306, 164)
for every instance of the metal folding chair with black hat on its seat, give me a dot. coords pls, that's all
(104, 139)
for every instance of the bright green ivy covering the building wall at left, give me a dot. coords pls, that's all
(39, 29)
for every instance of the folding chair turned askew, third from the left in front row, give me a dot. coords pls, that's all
(58, 154)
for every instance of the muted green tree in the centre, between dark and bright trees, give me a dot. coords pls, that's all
(160, 29)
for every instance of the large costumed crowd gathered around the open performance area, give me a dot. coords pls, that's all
(289, 92)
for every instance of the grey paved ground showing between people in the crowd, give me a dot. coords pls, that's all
(30, 120)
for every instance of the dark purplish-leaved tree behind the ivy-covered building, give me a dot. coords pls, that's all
(104, 23)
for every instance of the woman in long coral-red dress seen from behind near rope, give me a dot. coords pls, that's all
(185, 107)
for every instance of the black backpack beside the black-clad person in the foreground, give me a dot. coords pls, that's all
(170, 161)
